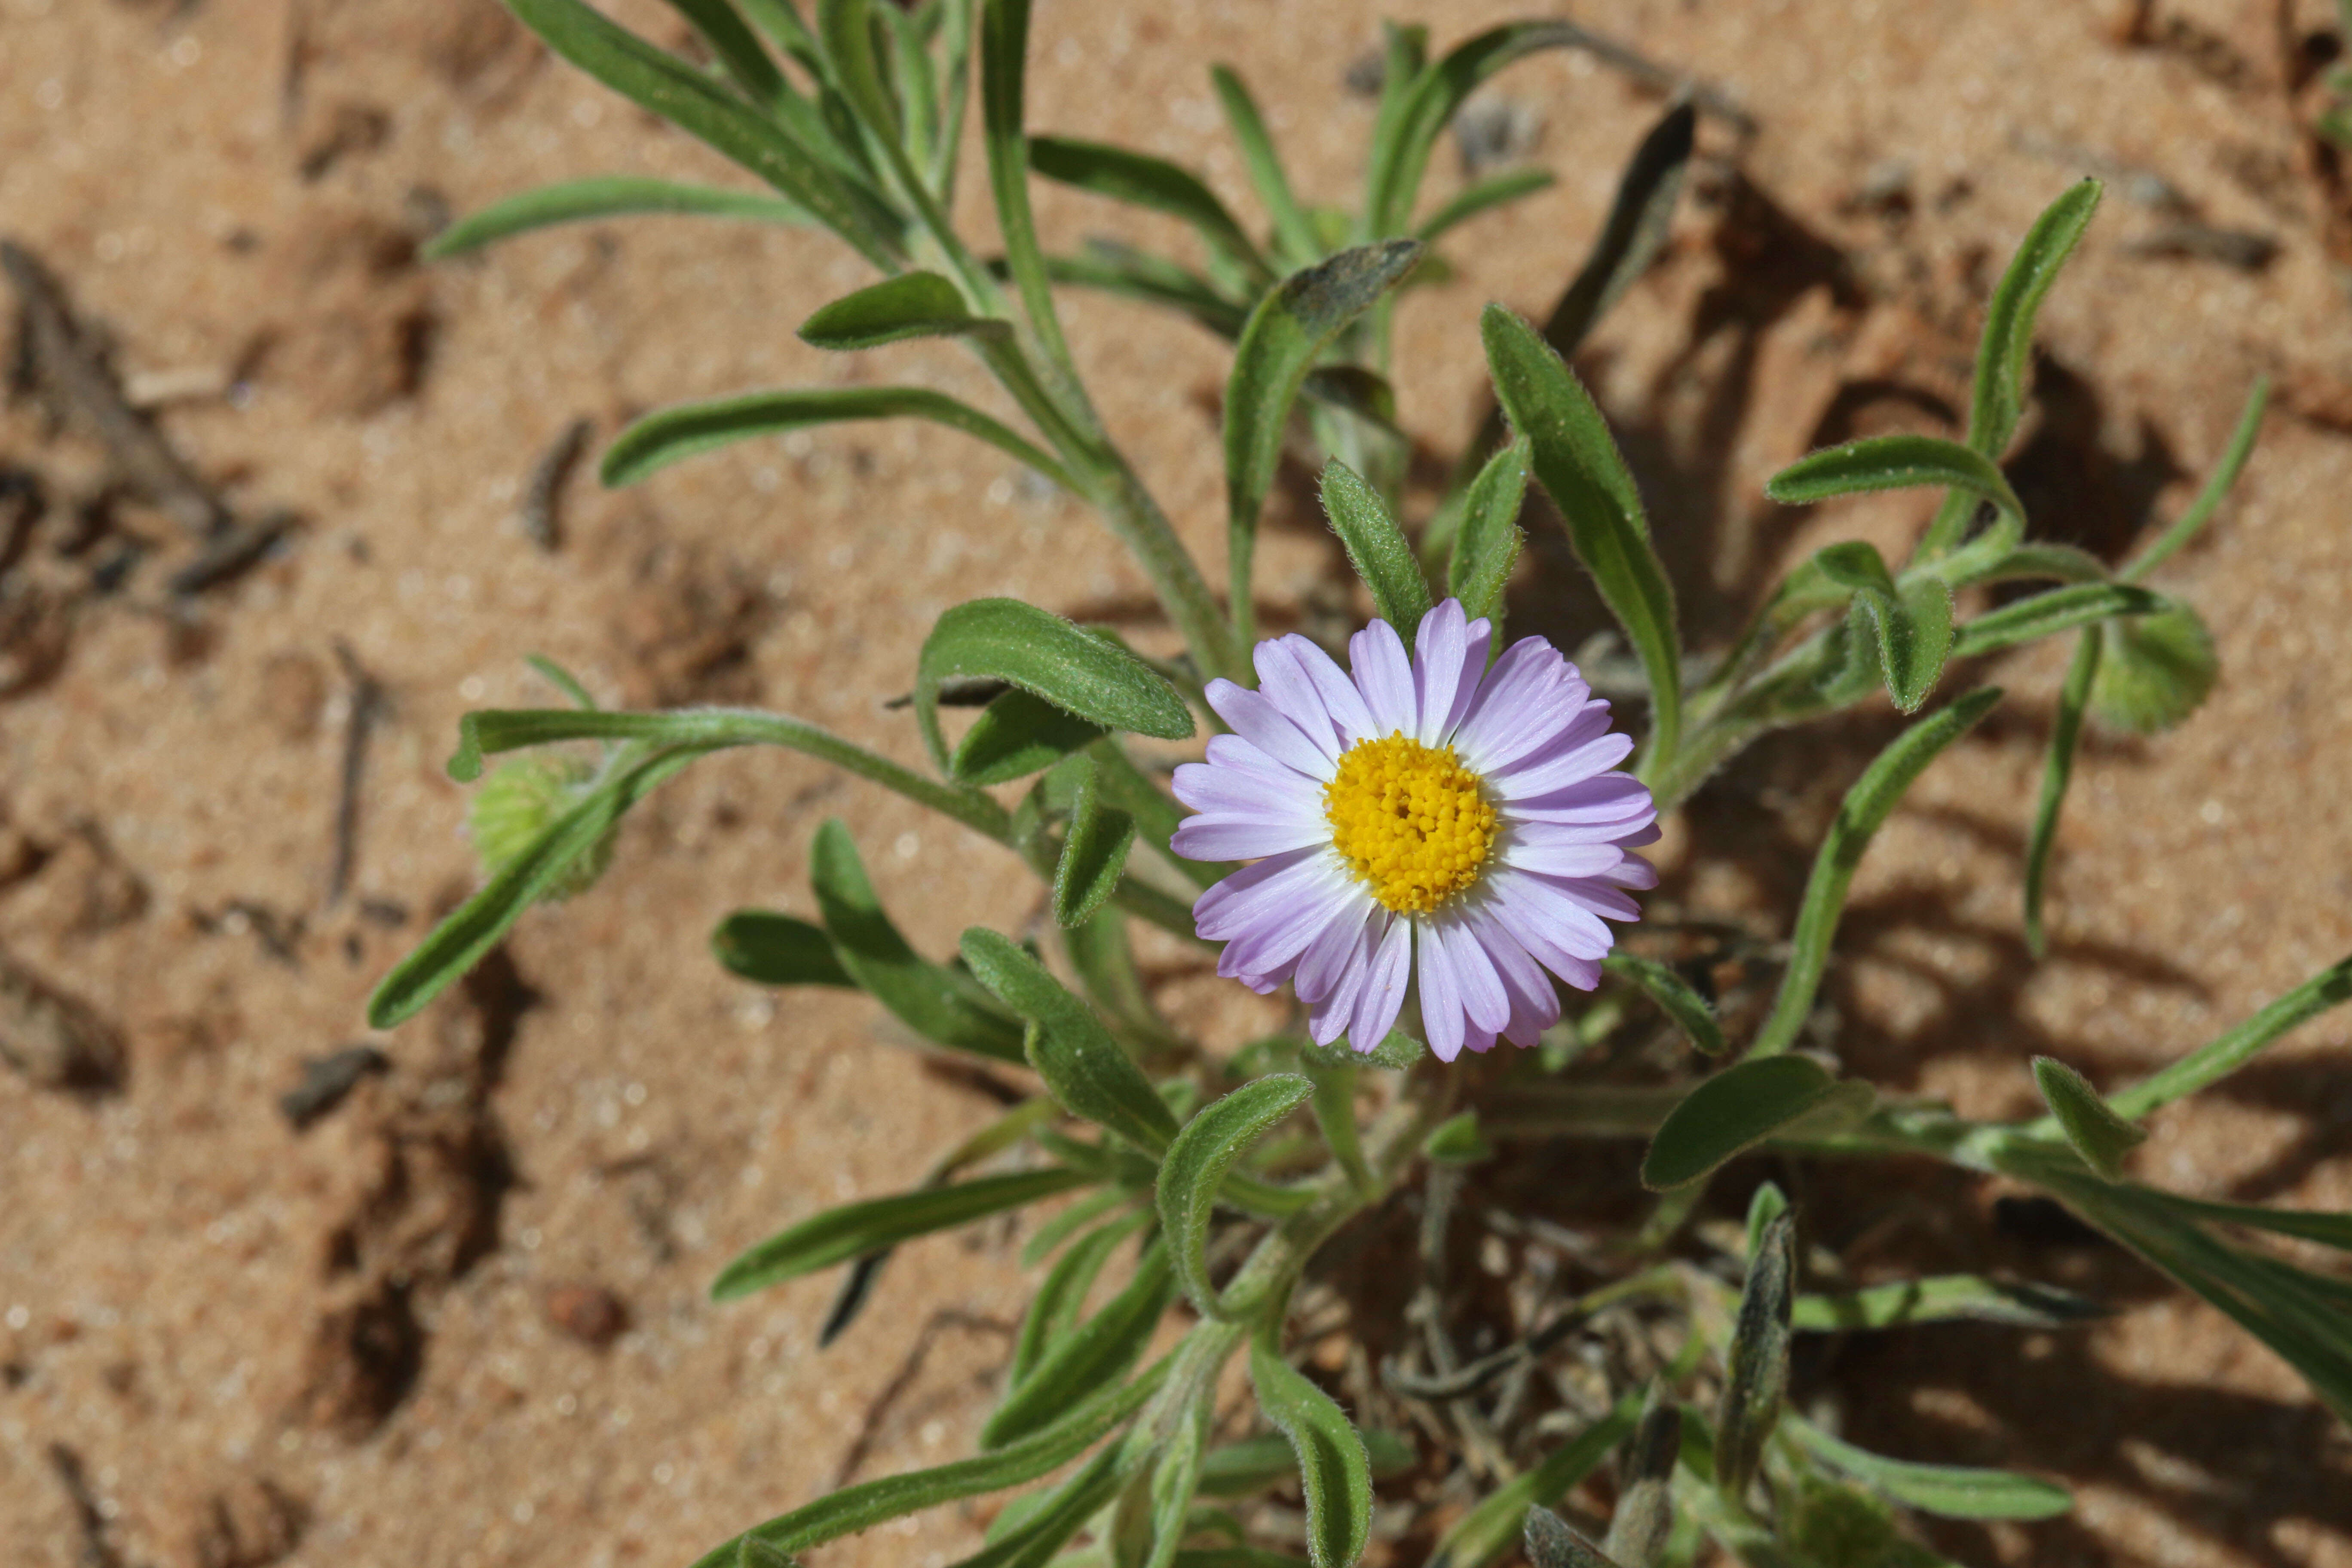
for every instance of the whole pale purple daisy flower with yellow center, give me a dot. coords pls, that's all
(1417, 817)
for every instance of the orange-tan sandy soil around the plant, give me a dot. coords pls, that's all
(462, 1318)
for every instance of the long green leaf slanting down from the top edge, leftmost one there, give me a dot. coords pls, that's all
(695, 105)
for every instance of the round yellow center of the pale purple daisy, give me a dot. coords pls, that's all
(1410, 819)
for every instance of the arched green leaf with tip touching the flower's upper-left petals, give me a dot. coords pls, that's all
(1048, 657)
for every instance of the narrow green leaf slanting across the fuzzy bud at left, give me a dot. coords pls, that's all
(483, 920)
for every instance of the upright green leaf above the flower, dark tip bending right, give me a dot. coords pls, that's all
(1278, 347)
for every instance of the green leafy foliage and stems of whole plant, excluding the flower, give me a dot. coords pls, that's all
(1187, 1198)
